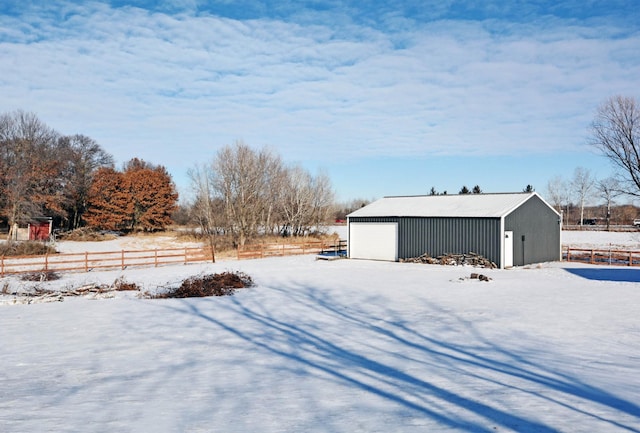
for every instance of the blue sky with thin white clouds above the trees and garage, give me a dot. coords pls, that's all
(386, 97)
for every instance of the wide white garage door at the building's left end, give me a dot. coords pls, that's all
(373, 241)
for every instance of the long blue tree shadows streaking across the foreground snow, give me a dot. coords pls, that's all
(394, 360)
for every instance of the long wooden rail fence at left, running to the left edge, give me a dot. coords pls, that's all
(102, 260)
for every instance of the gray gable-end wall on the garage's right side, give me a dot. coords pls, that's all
(541, 230)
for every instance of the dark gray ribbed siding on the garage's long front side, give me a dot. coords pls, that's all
(437, 236)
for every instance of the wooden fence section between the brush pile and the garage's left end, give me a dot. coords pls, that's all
(288, 249)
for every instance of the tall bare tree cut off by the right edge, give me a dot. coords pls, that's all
(616, 133)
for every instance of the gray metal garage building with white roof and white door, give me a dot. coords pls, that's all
(511, 229)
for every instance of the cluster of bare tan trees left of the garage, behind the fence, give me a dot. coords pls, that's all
(245, 193)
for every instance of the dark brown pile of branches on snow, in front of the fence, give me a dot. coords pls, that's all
(223, 284)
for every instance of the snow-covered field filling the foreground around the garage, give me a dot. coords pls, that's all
(333, 346)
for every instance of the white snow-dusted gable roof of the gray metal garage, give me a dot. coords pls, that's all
(462, 205)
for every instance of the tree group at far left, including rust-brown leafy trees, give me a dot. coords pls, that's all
(73, 180)
